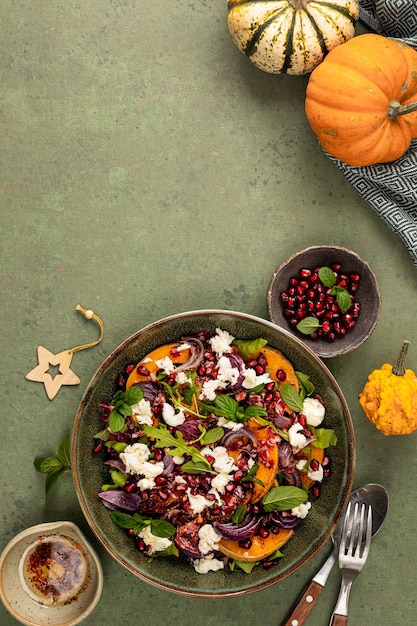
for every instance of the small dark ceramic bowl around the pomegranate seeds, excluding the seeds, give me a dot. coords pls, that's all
(368, 296)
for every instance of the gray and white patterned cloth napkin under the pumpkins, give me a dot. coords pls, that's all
(391, 188)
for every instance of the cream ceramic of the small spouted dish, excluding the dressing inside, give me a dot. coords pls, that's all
(15, 597)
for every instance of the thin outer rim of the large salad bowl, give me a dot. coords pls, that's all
(349, 477)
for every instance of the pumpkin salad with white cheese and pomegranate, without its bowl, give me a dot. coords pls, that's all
(216, 451)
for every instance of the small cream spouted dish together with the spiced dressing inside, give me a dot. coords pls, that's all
(72, 586)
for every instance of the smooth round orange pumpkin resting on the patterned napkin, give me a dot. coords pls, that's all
(361, 101)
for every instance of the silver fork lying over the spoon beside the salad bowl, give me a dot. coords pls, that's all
(353, 552)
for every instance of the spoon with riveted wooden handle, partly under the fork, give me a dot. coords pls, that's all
(375, 496)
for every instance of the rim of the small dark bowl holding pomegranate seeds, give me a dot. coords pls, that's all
(332, 350)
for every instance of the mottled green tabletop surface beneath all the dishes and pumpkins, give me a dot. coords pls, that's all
(147, 168)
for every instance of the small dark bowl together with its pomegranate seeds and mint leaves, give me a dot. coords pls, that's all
(336, 304)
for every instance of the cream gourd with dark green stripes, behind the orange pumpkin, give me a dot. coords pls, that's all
(290, 36)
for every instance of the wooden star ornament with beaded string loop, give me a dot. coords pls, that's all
(62, 361)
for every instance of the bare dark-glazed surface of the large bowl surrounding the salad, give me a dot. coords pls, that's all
(173, 574)
